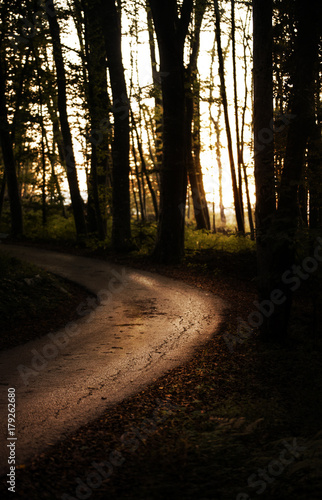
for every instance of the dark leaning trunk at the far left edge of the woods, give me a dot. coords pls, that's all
(9, 159)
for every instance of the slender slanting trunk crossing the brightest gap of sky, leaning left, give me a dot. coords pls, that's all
(237, 201)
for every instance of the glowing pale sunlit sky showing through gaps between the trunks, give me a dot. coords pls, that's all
(207, 154)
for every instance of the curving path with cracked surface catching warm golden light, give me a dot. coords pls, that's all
(141, 325)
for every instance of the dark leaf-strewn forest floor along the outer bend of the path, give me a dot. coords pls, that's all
(232, 423)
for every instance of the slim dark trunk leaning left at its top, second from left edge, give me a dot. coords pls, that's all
(77, 202)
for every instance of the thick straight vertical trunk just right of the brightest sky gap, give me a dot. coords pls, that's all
(264, 153)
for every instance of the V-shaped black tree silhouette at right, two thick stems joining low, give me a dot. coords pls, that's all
(277, 227)
